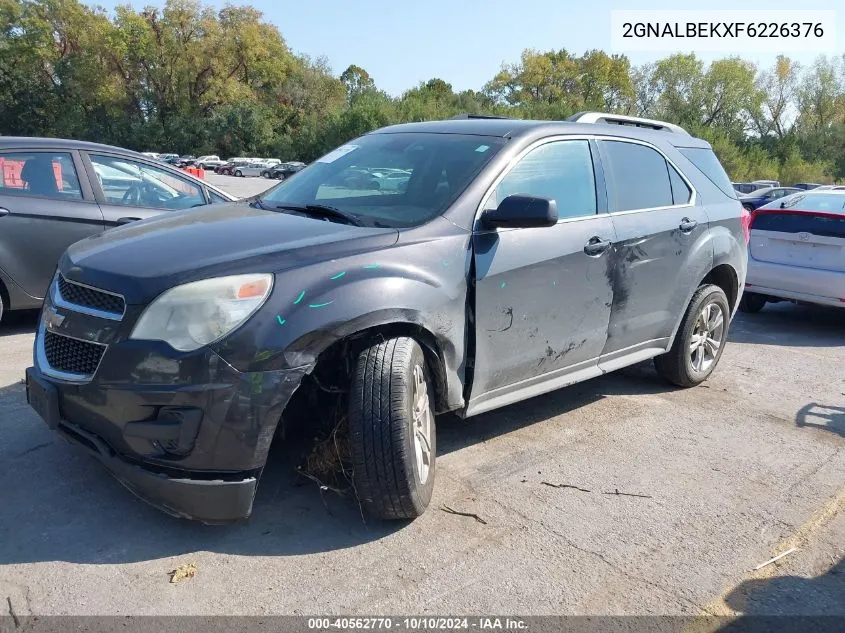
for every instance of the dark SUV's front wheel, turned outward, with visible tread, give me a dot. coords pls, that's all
(393, 473)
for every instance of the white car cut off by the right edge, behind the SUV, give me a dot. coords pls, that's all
(796, 251)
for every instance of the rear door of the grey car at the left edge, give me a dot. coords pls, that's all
(44, 208)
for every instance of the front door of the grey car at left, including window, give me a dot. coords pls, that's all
(129, 190)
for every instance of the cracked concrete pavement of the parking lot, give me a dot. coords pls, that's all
(731, 474)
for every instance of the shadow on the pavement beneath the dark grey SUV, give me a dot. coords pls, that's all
(58, 503)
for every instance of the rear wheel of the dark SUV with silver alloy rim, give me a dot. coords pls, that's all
(683, 366)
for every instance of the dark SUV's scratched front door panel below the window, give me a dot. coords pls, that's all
(542, 304)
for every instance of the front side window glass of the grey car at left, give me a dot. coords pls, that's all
(136, 184)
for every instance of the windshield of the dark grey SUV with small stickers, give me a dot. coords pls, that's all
(390, 180)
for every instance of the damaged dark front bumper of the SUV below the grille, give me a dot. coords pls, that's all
(187, 433)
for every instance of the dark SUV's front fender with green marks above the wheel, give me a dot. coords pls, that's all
(420, 280)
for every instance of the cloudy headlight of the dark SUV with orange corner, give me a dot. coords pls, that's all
(196, 314)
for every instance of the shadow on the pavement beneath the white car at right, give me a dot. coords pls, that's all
(790, 325)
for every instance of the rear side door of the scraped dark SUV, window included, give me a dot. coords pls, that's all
(661, 252)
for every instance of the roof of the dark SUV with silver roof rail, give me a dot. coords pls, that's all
(513, 128)
